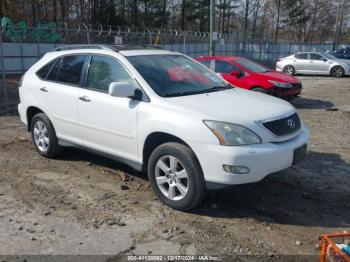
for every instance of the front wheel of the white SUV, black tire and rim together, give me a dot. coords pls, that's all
(168, 180)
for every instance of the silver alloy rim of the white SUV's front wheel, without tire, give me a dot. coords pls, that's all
(171, 177)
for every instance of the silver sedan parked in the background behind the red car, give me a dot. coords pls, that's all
(313, 63)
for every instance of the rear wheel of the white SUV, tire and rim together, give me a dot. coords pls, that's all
(44, 136)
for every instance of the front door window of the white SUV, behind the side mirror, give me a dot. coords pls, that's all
(104, 70)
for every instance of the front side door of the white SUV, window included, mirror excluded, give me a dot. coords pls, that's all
(107, 124)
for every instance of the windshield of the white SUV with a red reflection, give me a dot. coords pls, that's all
(176, 75)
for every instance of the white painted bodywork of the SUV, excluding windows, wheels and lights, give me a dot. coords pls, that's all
(120, 126)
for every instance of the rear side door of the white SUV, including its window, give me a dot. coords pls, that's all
(60, 92)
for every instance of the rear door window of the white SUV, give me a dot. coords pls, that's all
(71, 68)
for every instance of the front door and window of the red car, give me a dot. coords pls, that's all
(225, 69)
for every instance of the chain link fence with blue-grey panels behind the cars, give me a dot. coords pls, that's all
(20, 47)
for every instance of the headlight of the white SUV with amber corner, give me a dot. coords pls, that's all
(232, 134)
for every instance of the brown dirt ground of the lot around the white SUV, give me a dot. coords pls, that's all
(84, 204)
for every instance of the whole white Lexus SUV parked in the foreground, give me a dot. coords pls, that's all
(161, 112)
